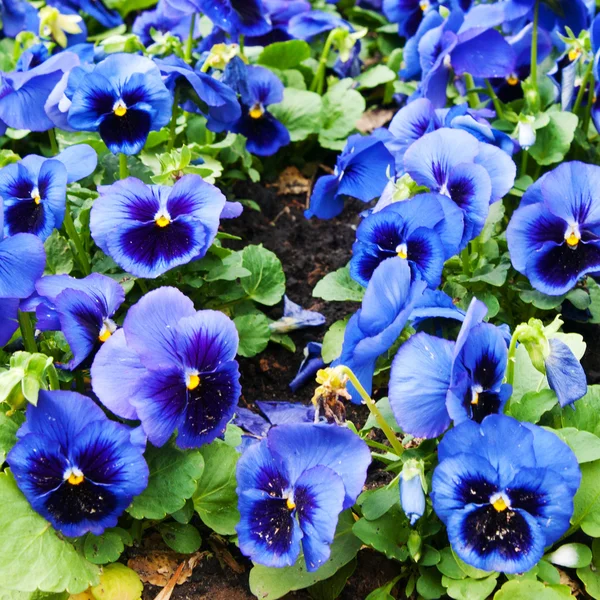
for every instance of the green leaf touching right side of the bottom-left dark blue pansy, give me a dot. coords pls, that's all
(174, 474)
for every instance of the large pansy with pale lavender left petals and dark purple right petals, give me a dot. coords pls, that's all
(172, 368)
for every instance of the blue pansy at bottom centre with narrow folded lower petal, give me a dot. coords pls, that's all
(292, 487)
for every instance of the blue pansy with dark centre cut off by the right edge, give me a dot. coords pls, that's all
(554, 236)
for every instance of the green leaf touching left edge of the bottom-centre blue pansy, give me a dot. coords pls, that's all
(216, 499)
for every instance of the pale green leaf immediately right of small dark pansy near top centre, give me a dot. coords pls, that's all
(300, 112)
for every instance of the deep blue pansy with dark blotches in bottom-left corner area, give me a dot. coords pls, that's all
(77, 469)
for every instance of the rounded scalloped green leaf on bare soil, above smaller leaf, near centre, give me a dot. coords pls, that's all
(266, 283)
